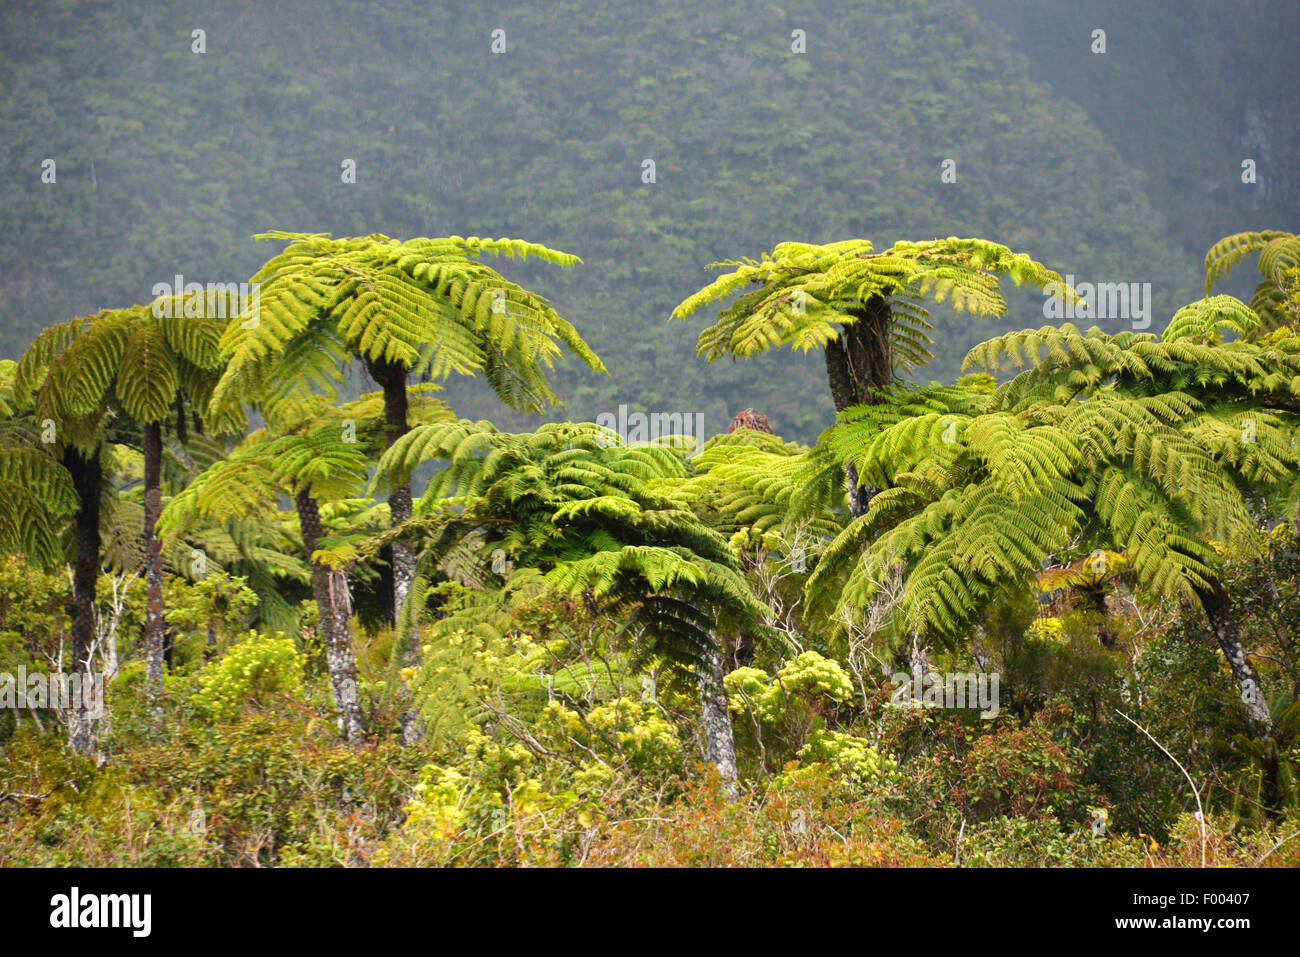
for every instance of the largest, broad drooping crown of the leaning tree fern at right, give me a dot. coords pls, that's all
(1154, 465)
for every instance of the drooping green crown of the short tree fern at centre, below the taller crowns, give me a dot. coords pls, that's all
(588, 514)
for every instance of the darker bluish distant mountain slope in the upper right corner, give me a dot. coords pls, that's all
(1162, 86)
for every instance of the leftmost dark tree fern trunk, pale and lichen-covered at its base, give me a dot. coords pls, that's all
(89, 480)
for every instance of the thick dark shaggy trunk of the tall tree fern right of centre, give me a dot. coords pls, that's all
(860, 362)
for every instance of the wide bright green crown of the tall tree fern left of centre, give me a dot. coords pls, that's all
(428, 306)
